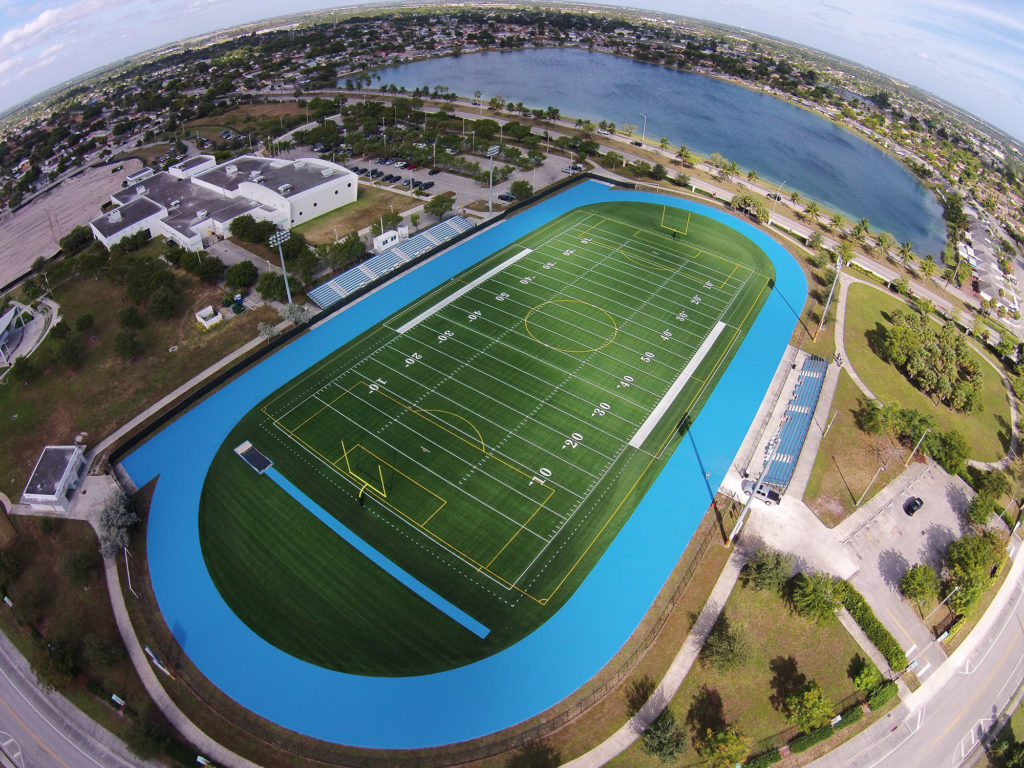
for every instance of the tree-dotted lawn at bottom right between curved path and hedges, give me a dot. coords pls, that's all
(750, 696)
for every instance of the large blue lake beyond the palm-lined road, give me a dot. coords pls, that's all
(781, 142)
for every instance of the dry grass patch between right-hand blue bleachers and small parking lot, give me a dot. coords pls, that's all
(848, 458)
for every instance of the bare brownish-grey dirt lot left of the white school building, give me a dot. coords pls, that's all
(34, 231)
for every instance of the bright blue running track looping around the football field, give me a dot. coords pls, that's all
(543, 668)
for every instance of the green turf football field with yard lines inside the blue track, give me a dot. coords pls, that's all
(490, 440)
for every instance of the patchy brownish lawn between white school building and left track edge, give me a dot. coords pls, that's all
(106, 392)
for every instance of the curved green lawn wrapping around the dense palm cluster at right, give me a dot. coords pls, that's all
(988, 433)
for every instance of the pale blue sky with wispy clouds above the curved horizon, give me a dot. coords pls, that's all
(970, 53)
